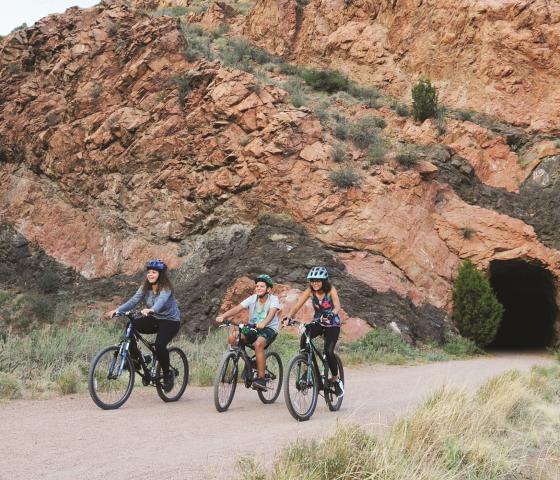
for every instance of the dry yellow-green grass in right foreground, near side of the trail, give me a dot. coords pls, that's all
(508, 429)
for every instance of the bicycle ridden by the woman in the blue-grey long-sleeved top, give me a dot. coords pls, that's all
(111, 373)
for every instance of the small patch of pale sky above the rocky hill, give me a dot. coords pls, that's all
(15, 12)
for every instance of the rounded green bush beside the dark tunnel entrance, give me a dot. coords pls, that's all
(476, 310)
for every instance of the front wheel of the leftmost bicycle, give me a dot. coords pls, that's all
(110, 378)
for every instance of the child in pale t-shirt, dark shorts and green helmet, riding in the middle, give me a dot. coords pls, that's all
(263, 312)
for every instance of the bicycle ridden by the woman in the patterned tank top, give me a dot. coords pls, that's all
(304, 382)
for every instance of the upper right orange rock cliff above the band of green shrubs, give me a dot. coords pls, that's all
(495, 57)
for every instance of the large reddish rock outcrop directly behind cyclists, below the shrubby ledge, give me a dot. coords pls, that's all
(115, 148)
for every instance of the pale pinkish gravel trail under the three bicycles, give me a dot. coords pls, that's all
(70, 438)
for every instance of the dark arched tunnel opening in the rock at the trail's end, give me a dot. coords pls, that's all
(528, 295)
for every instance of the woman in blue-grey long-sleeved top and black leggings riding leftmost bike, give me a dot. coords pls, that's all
(160, 316)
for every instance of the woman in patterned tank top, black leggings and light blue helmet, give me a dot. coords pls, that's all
(326, 320)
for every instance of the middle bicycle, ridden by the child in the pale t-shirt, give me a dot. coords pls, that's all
(225, 382)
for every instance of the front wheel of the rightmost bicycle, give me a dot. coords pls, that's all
(301, 388)
